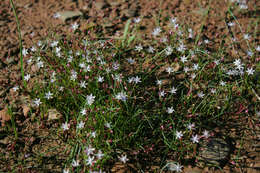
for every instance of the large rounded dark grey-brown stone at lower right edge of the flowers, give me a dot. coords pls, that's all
(214, 151)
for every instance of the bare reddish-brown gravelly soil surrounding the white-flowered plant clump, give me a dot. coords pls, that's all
(36, 19)
